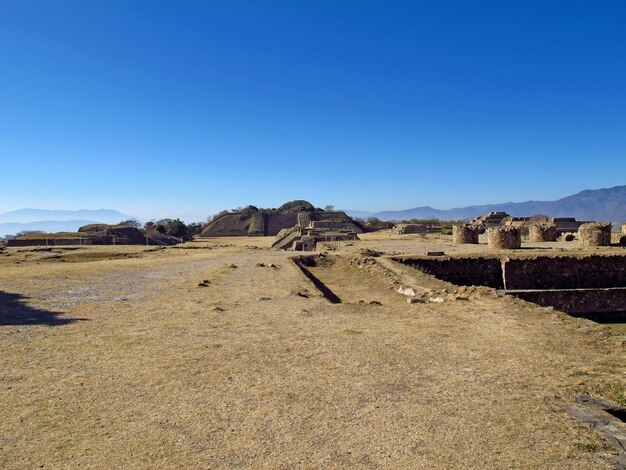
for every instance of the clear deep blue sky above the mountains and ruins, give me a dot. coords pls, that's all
(161, 108)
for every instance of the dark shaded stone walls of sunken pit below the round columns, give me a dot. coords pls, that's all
(581, 284)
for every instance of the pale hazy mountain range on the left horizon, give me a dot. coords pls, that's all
(57, 220)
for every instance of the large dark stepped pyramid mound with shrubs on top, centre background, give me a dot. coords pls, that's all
(269, 222)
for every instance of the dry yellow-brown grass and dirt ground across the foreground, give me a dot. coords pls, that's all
(114, 357)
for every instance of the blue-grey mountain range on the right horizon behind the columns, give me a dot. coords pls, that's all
(591, 204)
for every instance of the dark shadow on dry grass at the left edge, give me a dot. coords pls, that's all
(14, 311)
